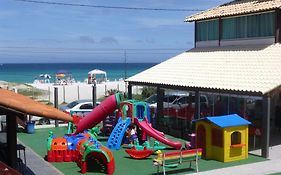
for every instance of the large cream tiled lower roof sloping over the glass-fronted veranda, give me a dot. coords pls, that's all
(253, 69)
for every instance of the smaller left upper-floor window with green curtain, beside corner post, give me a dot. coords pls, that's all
(207, 30)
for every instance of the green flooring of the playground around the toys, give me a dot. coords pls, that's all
(124, 165)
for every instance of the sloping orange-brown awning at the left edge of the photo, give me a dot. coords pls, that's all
(23, 104)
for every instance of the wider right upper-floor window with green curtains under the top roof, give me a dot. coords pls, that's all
(261, 25)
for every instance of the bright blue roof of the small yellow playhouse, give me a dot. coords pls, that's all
(227, 120)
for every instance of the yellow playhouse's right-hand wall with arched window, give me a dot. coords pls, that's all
(231, 153)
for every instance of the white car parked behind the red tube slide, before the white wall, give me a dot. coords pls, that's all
(77, 104)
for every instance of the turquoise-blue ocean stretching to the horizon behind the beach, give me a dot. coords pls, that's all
(27, 73)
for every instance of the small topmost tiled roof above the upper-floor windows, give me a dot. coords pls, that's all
(236, 7)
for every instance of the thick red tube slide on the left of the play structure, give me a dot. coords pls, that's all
(99, 113)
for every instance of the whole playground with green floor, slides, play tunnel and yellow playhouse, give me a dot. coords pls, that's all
(86, 146)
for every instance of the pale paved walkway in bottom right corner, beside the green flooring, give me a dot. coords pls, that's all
(266, 167)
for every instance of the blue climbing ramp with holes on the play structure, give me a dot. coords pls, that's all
(116, 136)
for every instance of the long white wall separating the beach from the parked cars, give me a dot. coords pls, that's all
(70, 92)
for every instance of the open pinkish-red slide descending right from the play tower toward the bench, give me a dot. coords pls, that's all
(144, 125)
